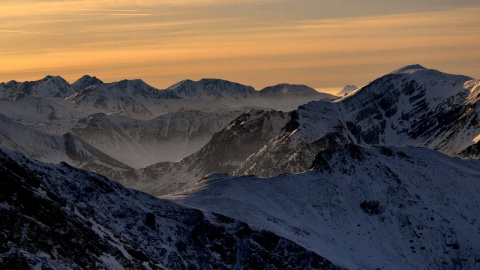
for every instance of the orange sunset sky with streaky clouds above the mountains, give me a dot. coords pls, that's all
(324, 44)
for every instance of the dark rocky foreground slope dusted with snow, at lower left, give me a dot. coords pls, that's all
(58, 217)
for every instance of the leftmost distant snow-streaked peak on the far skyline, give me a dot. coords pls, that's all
(48, 87)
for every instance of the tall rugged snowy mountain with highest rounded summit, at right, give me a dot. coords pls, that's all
(411, 106)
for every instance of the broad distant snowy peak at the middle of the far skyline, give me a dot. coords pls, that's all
(211, 89)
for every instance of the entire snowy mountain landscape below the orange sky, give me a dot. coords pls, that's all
(385, 177)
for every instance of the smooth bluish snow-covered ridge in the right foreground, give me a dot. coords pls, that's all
(377, 208)
